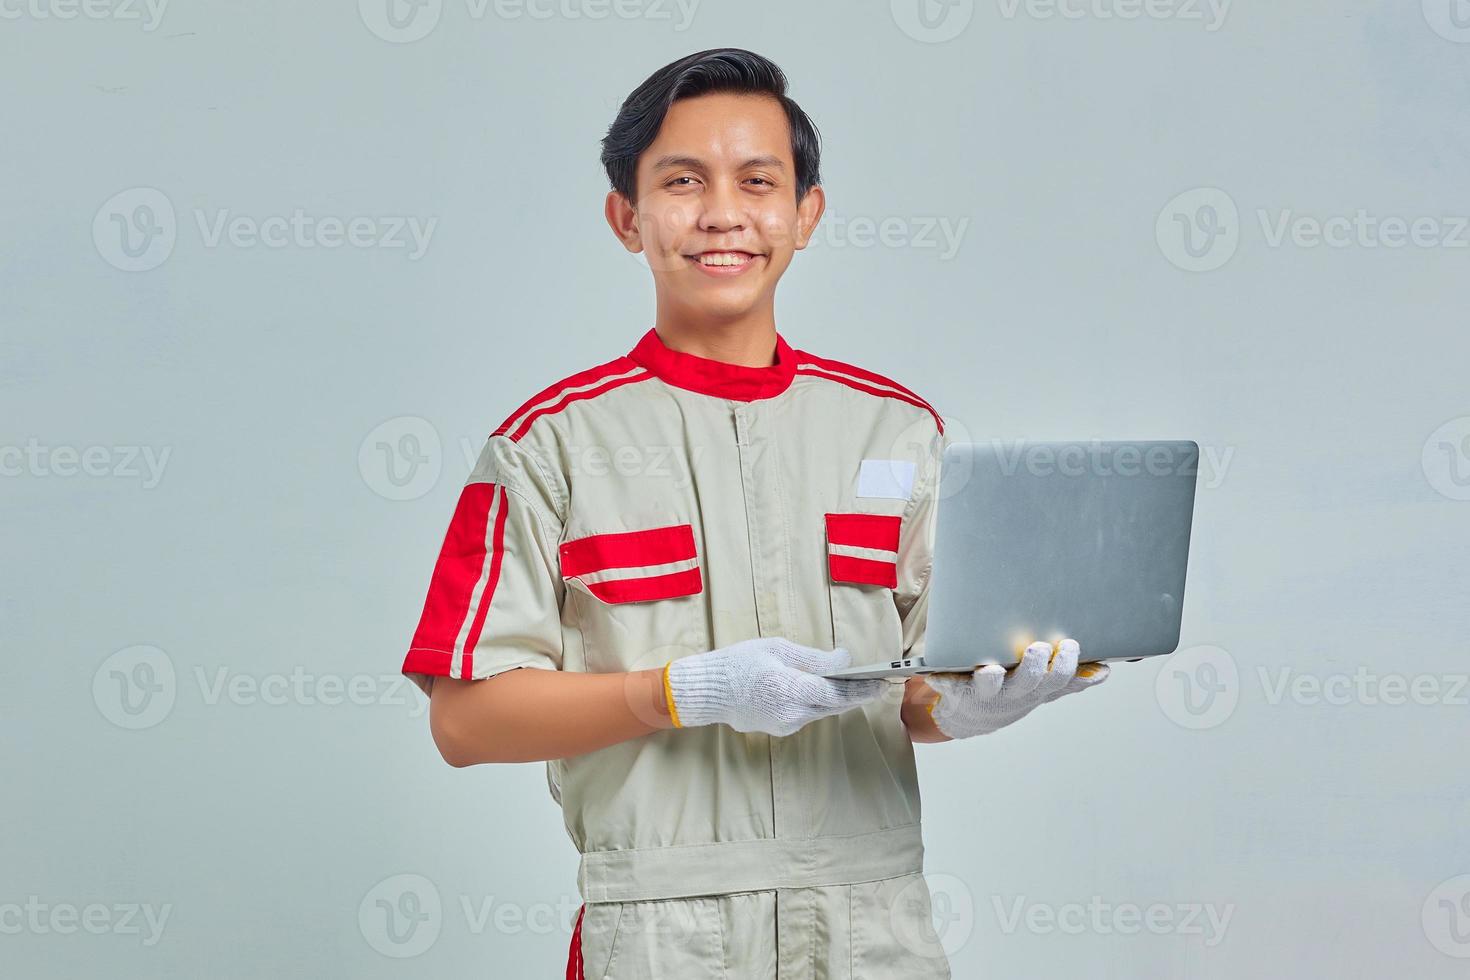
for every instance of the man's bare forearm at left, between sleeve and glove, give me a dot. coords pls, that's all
(531, 715)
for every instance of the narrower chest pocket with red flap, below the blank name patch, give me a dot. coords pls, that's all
(862, 577)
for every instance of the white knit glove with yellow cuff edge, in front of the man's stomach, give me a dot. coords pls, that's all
(768, 685)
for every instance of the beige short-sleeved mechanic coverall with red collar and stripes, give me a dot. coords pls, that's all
(665, 505)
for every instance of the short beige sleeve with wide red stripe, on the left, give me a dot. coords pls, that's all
(496, 594)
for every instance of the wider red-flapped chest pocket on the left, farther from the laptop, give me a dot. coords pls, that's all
(640, 593)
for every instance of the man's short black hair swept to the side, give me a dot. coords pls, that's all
(720, 70)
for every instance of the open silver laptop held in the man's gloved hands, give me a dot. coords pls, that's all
(1053, 540)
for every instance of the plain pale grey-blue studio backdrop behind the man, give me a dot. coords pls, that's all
(274, 271)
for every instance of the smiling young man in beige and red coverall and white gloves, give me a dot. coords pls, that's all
(678, 543)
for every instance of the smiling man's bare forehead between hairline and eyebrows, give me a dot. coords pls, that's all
(723, 129)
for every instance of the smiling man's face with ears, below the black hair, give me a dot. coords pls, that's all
(718, 215)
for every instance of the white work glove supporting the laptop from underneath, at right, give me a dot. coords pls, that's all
(993, 697)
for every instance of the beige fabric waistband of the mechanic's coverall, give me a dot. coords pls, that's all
(684, 871)
